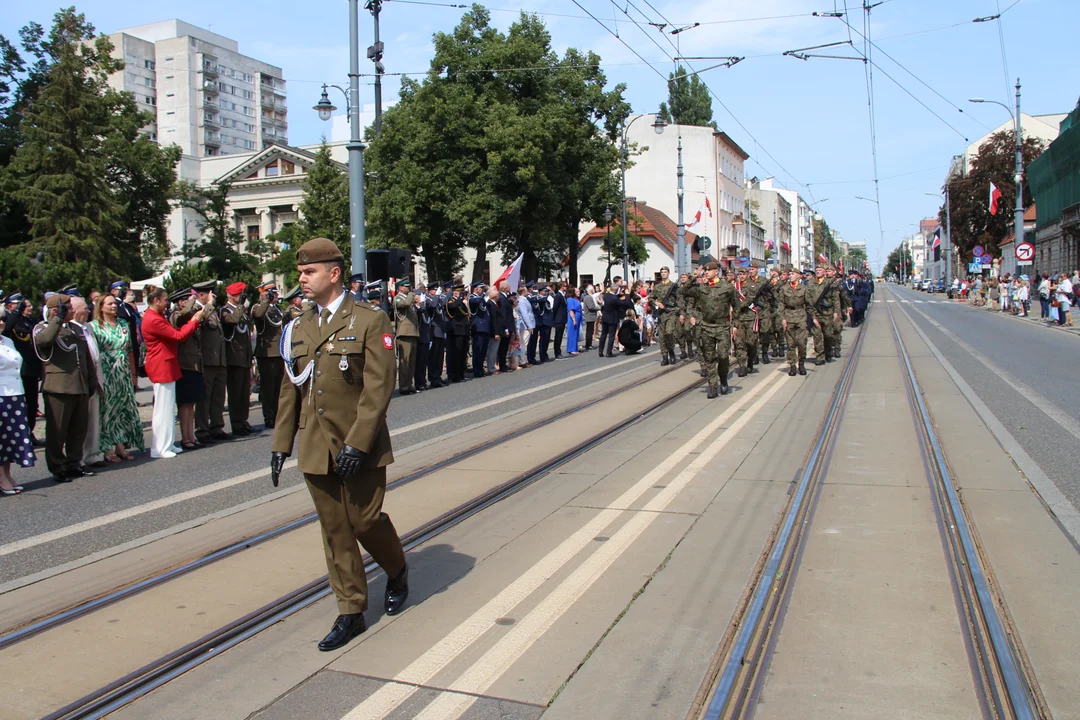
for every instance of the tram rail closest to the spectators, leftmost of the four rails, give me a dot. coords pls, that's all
(83, 609)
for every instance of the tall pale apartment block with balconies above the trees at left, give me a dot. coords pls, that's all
(207, 98)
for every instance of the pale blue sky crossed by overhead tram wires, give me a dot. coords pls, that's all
(805, 123)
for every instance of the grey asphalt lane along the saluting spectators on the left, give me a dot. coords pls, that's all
(46, 507)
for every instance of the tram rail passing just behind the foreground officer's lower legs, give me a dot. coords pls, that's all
(153, 676)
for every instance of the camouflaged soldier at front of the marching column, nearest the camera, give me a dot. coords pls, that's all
(715, 300)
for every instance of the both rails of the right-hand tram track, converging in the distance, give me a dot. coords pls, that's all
(1004, 678)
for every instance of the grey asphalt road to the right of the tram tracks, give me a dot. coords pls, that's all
(1025, 373)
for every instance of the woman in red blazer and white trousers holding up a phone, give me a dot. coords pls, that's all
(163, 342)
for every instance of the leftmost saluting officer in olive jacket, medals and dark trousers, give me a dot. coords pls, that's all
(71, 381)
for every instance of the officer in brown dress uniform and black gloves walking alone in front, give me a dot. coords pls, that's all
(340, 379)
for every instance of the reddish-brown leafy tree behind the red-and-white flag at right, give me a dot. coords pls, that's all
(969, 196)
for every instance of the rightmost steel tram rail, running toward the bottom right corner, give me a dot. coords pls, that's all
(1018, 690)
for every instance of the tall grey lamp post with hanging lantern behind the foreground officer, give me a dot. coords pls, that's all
(358, 236)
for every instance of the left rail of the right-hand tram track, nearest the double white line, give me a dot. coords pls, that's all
(744, 658)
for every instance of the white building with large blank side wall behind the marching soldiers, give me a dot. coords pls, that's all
(712, 168)
